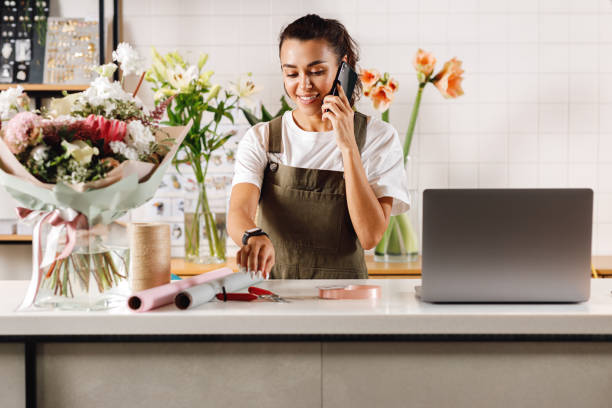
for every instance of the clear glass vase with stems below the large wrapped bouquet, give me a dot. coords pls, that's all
(95, 276)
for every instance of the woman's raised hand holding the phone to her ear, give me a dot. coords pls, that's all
(340, 114)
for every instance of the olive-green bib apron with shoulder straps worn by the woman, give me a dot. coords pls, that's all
(305, 213)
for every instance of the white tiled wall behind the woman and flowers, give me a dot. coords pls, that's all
(537, 109)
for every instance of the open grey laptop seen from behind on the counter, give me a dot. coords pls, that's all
(506, 245)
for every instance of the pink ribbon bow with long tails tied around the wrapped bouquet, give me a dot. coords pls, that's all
(55, 219)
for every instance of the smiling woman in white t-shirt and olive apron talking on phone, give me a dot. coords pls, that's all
(325, 177)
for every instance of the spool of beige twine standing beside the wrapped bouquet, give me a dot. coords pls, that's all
(149, 255)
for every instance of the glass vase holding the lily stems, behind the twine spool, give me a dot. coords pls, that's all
(205, 230)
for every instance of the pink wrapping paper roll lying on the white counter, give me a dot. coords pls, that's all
(162, 295)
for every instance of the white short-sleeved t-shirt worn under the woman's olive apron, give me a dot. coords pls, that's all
(381, 156)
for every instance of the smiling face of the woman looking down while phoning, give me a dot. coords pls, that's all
(309, 69)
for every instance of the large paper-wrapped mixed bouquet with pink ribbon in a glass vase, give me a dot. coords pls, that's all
(75, 169)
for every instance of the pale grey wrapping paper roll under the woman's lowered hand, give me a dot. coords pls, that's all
(197, 295)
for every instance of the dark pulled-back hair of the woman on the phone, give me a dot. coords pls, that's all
(312, 27)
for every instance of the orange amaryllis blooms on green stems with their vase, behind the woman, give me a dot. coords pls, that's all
(399, 242)
